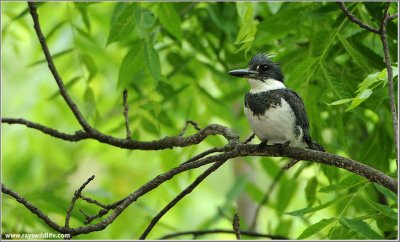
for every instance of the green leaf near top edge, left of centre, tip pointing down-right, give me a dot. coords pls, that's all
(170, 19)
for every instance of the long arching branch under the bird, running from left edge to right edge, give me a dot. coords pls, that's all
(240, 150)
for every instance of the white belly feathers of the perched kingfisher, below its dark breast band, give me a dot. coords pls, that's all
(276, 126)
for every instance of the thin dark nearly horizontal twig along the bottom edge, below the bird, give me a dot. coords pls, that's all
(223, 231)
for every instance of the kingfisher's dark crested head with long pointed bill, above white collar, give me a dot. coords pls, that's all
(260, 68)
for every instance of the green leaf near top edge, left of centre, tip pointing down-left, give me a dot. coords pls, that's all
(124, 24)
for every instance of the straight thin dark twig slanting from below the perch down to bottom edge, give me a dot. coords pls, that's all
(181, 195)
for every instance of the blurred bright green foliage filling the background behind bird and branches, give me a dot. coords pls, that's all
(173, 59)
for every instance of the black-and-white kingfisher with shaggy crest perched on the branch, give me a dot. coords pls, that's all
(276, 114)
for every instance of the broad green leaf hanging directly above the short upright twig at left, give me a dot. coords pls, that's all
(132, 68)
